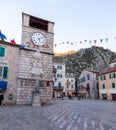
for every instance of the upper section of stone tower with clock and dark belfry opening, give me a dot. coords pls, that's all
(37, 32)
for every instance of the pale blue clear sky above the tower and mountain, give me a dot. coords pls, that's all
(78, 22)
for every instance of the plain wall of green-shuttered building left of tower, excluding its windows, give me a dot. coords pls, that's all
(11, 60)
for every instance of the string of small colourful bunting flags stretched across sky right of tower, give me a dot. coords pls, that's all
(84, 41)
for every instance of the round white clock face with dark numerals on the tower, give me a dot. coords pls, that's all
(38, 39)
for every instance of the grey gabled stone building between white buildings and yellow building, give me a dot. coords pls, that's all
(88, 86)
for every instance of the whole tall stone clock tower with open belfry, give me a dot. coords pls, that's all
(37, 36)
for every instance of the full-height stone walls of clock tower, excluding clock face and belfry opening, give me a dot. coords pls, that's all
(25, 89)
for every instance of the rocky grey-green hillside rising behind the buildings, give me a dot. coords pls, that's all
(94, 58)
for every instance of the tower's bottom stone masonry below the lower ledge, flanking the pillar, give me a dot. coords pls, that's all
(26, 88)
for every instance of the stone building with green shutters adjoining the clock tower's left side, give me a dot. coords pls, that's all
(9, 58)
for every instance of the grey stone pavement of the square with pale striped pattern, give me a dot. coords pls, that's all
(65, 114)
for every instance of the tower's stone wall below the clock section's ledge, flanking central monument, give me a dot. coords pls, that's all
(26, 80)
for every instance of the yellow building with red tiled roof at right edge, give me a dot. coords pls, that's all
(107, 82)
